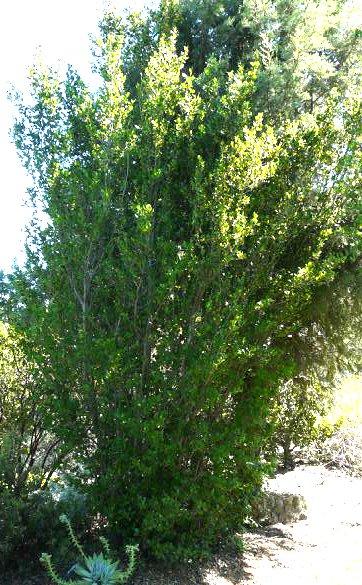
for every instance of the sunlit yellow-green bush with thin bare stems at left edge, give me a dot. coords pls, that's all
(28, 453)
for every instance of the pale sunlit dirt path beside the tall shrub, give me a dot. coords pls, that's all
(324, 549)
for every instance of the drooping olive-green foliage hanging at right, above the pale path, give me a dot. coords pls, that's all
(323, 352)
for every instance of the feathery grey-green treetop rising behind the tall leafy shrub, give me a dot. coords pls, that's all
(305, 50)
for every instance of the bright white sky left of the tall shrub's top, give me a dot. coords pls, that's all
(61, 30)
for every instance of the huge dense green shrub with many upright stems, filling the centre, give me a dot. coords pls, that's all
(189, 240)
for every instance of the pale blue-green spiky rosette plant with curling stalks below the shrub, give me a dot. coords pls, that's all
(98, 569)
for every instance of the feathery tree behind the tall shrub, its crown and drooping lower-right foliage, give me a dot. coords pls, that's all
(305, 52)
